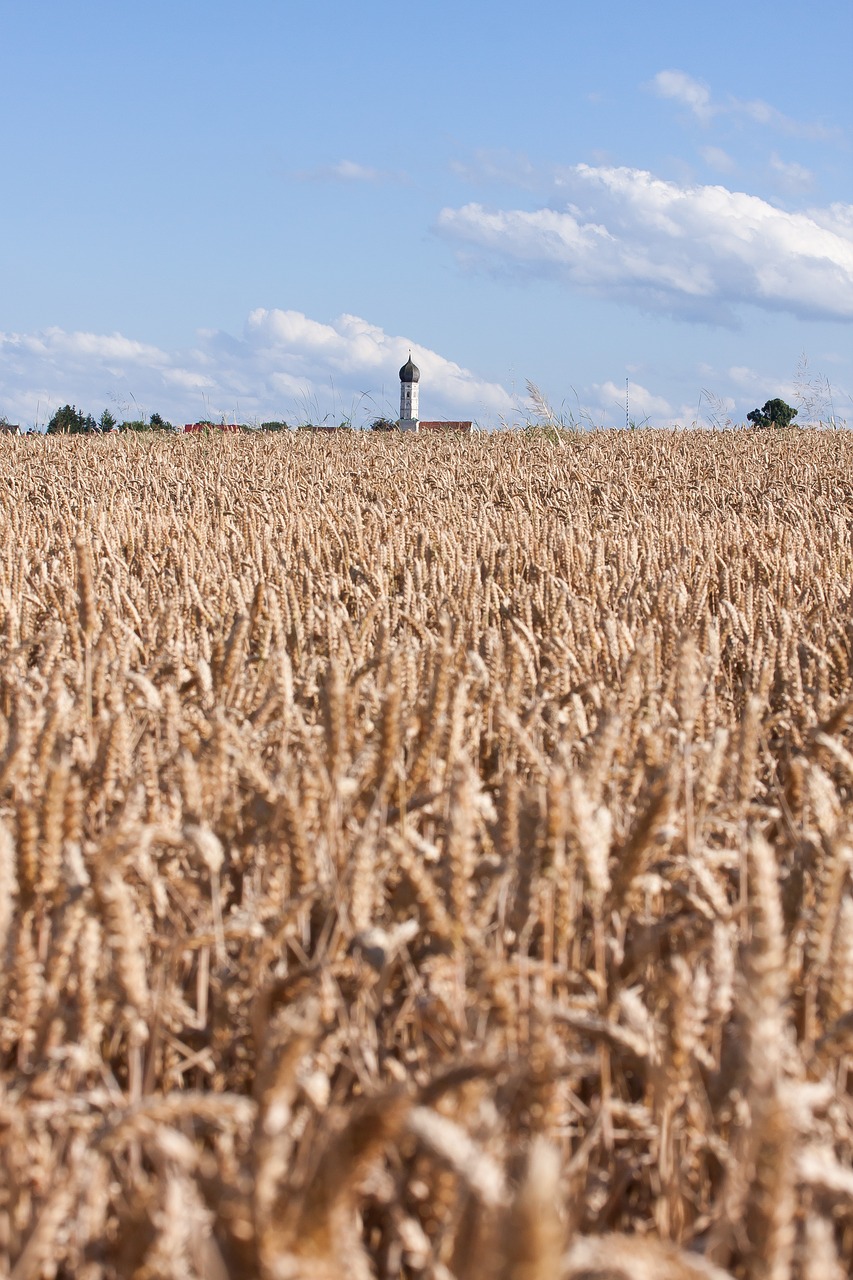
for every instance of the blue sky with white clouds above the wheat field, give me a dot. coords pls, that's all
(254, 211)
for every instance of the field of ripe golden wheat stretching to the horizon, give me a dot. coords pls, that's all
(427, 858)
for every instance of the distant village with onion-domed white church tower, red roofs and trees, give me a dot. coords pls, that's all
(72, 422)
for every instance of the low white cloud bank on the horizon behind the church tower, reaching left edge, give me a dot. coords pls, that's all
(284, 365)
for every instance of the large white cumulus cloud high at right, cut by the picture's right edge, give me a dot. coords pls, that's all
(696, 252)
